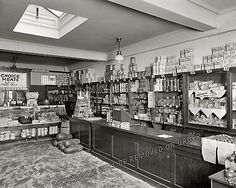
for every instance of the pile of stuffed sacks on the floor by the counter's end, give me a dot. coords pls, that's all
(67, 144)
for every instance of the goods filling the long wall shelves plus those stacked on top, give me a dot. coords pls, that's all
(172, 79)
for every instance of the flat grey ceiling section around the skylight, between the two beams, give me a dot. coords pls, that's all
(106, 21)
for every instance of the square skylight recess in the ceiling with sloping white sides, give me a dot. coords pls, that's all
(46, 22)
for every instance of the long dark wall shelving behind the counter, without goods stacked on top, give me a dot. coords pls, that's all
(173, 108)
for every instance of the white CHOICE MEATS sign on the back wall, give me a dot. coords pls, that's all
(13, 81)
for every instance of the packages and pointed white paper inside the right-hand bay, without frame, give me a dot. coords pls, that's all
(207, 103)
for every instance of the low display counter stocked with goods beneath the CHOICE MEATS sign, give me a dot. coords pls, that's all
(47, 124)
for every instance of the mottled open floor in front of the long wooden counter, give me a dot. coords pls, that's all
(39, 164)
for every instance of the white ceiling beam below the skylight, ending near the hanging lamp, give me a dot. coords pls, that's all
(55, 51)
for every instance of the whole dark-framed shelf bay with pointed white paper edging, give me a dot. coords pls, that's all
(207, 99)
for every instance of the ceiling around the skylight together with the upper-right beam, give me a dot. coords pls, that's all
(108, 19)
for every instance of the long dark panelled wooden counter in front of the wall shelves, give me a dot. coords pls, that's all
(176, 161)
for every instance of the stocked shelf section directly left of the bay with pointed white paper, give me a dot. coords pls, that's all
(168, 100)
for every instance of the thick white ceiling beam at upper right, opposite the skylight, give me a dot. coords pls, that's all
(182, 12)
